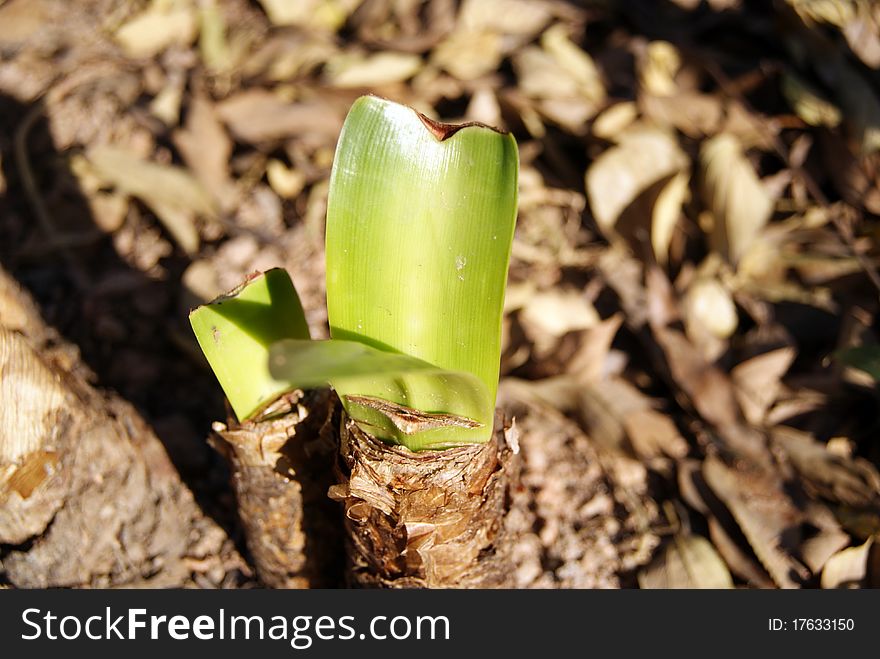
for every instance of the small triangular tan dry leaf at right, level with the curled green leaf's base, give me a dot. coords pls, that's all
(758, 381)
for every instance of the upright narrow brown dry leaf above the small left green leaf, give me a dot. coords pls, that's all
(206, 148)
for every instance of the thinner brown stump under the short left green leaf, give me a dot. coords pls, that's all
(281, 470)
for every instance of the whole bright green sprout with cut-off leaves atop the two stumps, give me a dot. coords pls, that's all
(420, 223)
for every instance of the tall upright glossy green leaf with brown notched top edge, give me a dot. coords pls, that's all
(420, 222)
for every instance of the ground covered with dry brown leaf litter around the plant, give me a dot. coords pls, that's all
(690, 338)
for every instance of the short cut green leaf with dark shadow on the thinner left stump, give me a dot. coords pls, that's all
(236, 330)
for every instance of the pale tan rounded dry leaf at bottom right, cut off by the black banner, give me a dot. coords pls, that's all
(687, 561)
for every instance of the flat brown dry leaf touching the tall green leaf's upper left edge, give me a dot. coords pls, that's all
(258, 115)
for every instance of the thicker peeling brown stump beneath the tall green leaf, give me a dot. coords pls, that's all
(434, 519)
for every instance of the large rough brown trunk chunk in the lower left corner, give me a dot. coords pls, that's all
(88, 495)
